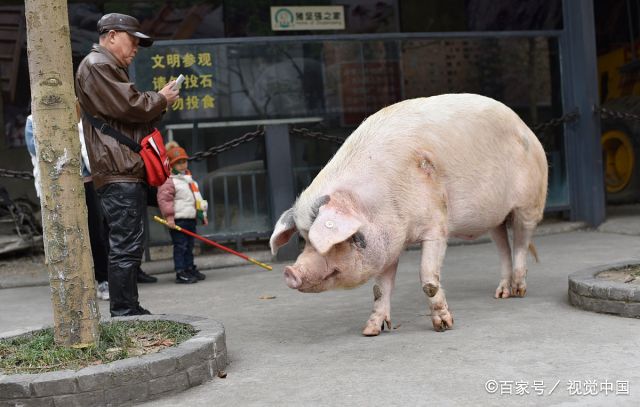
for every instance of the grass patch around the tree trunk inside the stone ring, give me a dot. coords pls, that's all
(37, 352)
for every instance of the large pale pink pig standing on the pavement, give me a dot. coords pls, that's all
(419, 171)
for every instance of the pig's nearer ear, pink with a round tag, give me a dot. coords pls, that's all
(332, 227)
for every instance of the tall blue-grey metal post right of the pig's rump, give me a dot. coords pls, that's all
(580, 92)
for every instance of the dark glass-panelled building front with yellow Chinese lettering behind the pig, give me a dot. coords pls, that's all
(281, 83)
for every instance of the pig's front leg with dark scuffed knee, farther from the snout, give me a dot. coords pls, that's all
(432, 256)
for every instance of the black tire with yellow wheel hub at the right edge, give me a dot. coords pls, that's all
(621, 161)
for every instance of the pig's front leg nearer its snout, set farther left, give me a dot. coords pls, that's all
(381, 302)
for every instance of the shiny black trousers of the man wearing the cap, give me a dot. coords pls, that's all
(123, 204)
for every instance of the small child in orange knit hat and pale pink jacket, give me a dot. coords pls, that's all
(181, 204)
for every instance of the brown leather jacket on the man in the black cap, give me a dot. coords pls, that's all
(105, 91)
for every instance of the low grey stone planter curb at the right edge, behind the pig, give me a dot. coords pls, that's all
(591, 293)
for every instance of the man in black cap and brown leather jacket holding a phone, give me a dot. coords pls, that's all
(105, 92)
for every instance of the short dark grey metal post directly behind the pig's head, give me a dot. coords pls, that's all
(280, 178)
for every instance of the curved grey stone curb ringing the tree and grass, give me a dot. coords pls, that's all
(126, 381)
